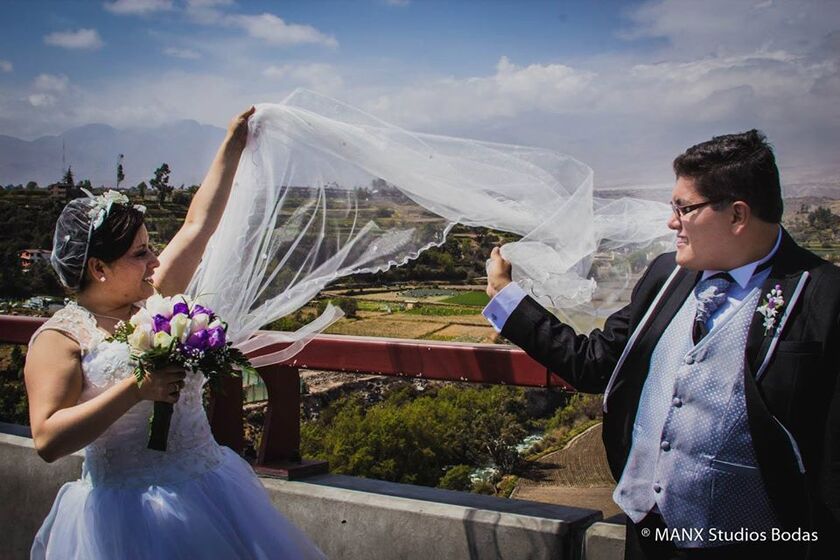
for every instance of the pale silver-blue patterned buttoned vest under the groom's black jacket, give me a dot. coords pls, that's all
(692, 454)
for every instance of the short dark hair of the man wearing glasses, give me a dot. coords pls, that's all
(736, 167)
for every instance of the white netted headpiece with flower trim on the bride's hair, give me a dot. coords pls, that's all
(74, 229)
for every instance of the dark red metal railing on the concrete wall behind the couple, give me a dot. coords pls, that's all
(279, 449)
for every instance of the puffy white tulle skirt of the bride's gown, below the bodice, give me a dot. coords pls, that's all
(224, 513)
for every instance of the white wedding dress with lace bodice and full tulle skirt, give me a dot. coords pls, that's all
(196, 500)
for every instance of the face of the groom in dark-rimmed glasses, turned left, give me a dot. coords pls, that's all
(704, 237)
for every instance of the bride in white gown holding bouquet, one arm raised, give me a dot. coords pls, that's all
(196, 500)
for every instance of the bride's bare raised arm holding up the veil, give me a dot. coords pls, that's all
(181, 257)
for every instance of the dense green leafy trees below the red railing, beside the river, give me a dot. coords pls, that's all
(415, 437)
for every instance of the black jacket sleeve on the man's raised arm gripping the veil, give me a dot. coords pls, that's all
(585, 361)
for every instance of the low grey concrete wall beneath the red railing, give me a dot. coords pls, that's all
(349, 517)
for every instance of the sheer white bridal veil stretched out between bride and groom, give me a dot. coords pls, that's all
(324, 190)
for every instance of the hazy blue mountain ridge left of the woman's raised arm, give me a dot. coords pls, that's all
(92, 151)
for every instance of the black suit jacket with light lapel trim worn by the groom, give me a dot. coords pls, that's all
(797, 391)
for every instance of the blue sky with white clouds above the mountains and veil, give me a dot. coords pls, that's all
(623, 86)
